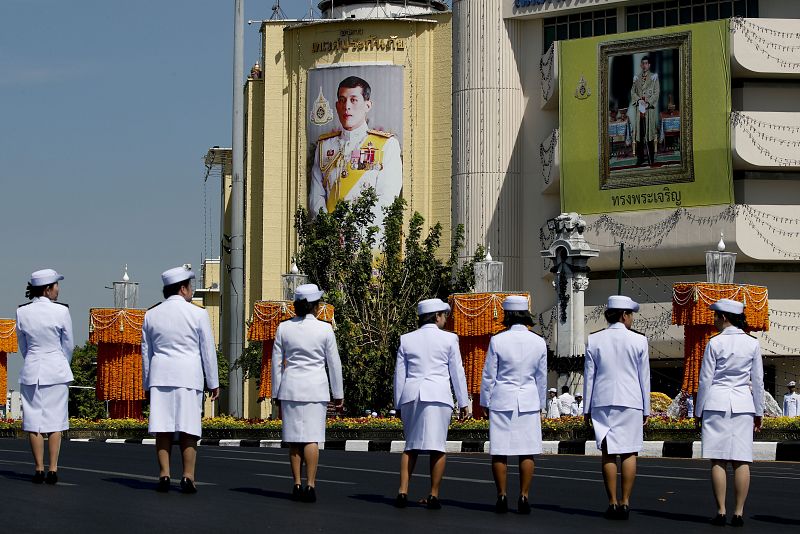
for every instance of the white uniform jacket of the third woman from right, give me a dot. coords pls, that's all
(515, 372)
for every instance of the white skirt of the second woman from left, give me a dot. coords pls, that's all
(175, 410)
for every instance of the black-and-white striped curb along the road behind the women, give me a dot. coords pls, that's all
(788, 451)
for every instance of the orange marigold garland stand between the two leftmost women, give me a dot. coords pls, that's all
(118, 335)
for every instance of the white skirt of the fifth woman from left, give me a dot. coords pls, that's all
(513, 433)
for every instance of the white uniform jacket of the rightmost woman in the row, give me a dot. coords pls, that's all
(731, 363)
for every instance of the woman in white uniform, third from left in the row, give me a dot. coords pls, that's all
(303, 347)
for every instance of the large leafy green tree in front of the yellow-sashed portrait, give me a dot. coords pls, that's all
(375, 292)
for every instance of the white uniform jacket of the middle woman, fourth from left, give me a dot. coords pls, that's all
(428, 360)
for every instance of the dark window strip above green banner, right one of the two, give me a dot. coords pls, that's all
(674, 12)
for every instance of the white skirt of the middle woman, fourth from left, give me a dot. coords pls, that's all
(425, 425)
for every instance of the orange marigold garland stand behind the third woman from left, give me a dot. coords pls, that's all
(267, 315)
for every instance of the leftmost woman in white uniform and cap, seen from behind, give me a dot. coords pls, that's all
(44, 334)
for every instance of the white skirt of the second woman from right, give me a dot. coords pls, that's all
(620, 426)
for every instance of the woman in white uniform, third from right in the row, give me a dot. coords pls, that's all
(513, 390)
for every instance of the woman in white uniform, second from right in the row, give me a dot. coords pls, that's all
(616, 393)
